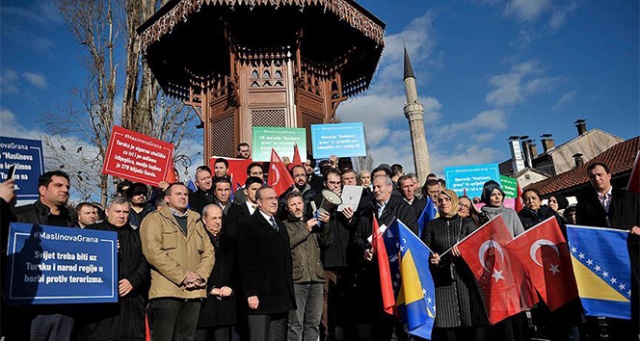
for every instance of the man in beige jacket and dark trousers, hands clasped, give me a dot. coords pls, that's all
(181, 257)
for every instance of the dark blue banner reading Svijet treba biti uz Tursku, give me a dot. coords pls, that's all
(53, 265)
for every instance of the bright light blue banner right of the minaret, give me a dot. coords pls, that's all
(470, 178)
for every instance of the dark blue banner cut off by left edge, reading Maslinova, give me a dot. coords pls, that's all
(28, 159)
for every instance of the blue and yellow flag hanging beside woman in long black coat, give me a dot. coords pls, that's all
(411, 279)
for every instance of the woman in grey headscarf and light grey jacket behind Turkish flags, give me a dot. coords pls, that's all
(511, 328)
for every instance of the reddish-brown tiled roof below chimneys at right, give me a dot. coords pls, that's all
(619, 158)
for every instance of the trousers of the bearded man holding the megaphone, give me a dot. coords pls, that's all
(304, 322)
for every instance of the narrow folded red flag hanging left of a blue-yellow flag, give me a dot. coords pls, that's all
(377, 244)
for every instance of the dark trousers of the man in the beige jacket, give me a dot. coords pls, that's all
(173, 318)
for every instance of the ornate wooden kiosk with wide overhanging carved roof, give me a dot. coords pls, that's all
(244, 63)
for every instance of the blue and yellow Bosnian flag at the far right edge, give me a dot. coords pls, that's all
(602, 269)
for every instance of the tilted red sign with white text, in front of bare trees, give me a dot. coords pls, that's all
(137, 157)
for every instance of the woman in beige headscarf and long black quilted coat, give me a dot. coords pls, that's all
(461, 312)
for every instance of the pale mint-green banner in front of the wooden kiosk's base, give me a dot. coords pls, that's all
(279, 138)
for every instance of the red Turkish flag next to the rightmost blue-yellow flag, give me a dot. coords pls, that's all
(543, 251)
